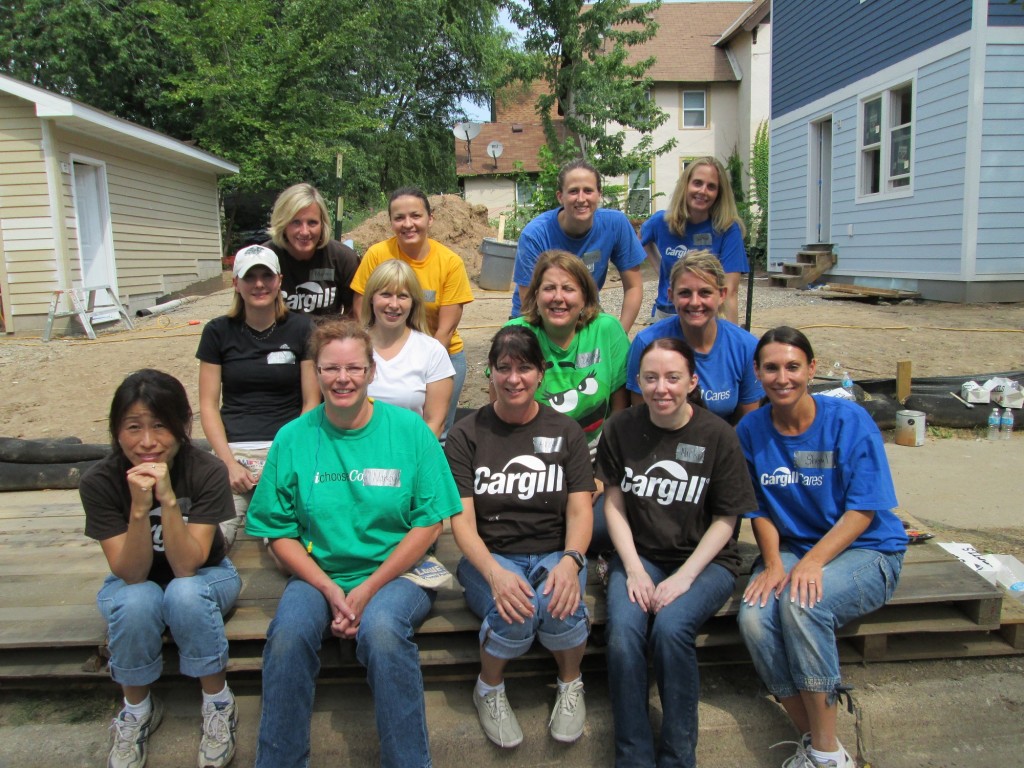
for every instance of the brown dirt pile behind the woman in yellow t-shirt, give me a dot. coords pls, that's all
(458, 225)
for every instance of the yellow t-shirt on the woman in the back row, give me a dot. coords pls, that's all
(442, 275)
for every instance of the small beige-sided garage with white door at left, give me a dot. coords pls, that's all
(88, 199)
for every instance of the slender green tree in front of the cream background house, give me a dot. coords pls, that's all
(583, 56)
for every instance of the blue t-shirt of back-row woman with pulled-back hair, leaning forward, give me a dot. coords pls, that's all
(612, 238)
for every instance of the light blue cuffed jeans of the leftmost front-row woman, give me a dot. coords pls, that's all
(192, 608)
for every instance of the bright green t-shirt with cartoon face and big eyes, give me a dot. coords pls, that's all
(582, 379)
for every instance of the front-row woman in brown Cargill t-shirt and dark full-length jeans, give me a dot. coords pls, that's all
(675, 484)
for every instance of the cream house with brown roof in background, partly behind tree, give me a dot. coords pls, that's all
(711, 77)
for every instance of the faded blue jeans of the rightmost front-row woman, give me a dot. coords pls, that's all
(794, 649)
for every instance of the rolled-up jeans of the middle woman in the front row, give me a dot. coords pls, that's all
(504, 641)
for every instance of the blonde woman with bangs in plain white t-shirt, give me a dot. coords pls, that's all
(413, 368)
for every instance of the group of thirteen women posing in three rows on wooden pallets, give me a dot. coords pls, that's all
(347, 481)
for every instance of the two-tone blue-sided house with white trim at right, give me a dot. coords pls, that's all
(898, 136)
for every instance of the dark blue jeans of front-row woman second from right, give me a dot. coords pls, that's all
(669, 637)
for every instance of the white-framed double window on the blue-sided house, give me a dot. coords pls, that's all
(880, 130)
